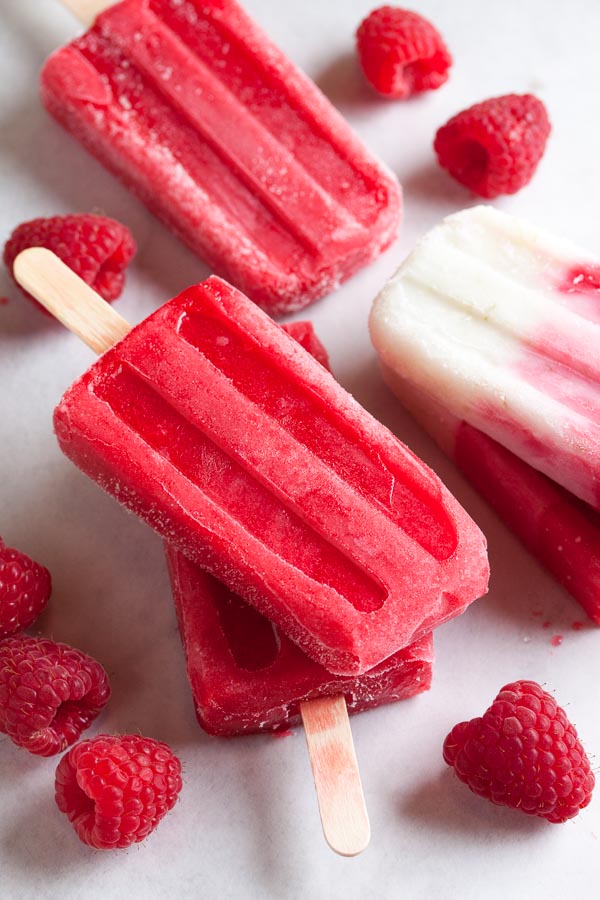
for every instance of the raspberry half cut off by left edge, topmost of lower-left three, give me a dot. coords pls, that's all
(25, 587)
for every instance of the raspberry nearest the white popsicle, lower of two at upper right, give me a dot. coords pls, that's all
(494, 147)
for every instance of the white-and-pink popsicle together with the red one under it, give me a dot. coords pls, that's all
(487, 334)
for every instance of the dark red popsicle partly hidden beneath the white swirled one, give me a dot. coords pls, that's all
(559, 529)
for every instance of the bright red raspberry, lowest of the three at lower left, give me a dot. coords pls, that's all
(115, 790)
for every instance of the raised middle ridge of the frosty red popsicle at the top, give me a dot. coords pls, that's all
(232, 130)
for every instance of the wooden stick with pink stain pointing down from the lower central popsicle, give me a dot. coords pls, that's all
(335, 771)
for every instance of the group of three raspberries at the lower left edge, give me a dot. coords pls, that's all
(114, 789)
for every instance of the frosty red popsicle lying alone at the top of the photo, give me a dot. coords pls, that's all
(237, 151)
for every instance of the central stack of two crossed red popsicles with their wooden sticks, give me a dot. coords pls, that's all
(215, 426)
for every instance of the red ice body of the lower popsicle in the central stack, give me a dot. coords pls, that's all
(247, 677)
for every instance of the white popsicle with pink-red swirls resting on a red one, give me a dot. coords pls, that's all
(500, 321)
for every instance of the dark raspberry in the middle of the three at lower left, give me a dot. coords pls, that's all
(49, 693)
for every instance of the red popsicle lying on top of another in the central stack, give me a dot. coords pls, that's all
(217, 428)
